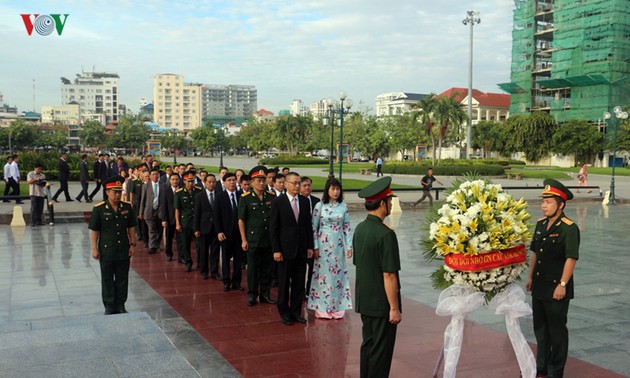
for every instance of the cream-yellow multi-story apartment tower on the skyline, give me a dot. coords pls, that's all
(176, 105)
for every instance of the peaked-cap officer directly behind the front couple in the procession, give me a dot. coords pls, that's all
(253, 224)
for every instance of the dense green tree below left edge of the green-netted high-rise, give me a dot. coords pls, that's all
(530, 134)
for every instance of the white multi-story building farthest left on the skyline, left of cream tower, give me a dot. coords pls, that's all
(95, 92)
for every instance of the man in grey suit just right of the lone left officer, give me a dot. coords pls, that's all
(150, 209)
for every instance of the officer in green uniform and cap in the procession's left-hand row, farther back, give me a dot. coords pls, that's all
(184, 206)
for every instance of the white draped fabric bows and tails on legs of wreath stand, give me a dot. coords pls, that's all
(457, 301)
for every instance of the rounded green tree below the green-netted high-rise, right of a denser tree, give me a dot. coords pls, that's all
(578, 138)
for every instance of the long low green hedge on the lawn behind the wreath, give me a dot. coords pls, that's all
(446, 168)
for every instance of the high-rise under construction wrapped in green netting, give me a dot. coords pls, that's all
(570, 58)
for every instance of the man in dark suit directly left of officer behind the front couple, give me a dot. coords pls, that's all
(226, 226)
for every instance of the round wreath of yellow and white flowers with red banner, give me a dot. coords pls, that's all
(480, 233)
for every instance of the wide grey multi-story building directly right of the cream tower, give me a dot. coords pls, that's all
(229, 101)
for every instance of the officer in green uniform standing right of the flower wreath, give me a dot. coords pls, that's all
(555, 248)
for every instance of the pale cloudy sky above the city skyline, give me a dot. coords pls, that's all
(288, 49)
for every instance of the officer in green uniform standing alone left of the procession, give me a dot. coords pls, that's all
(113, 243)
